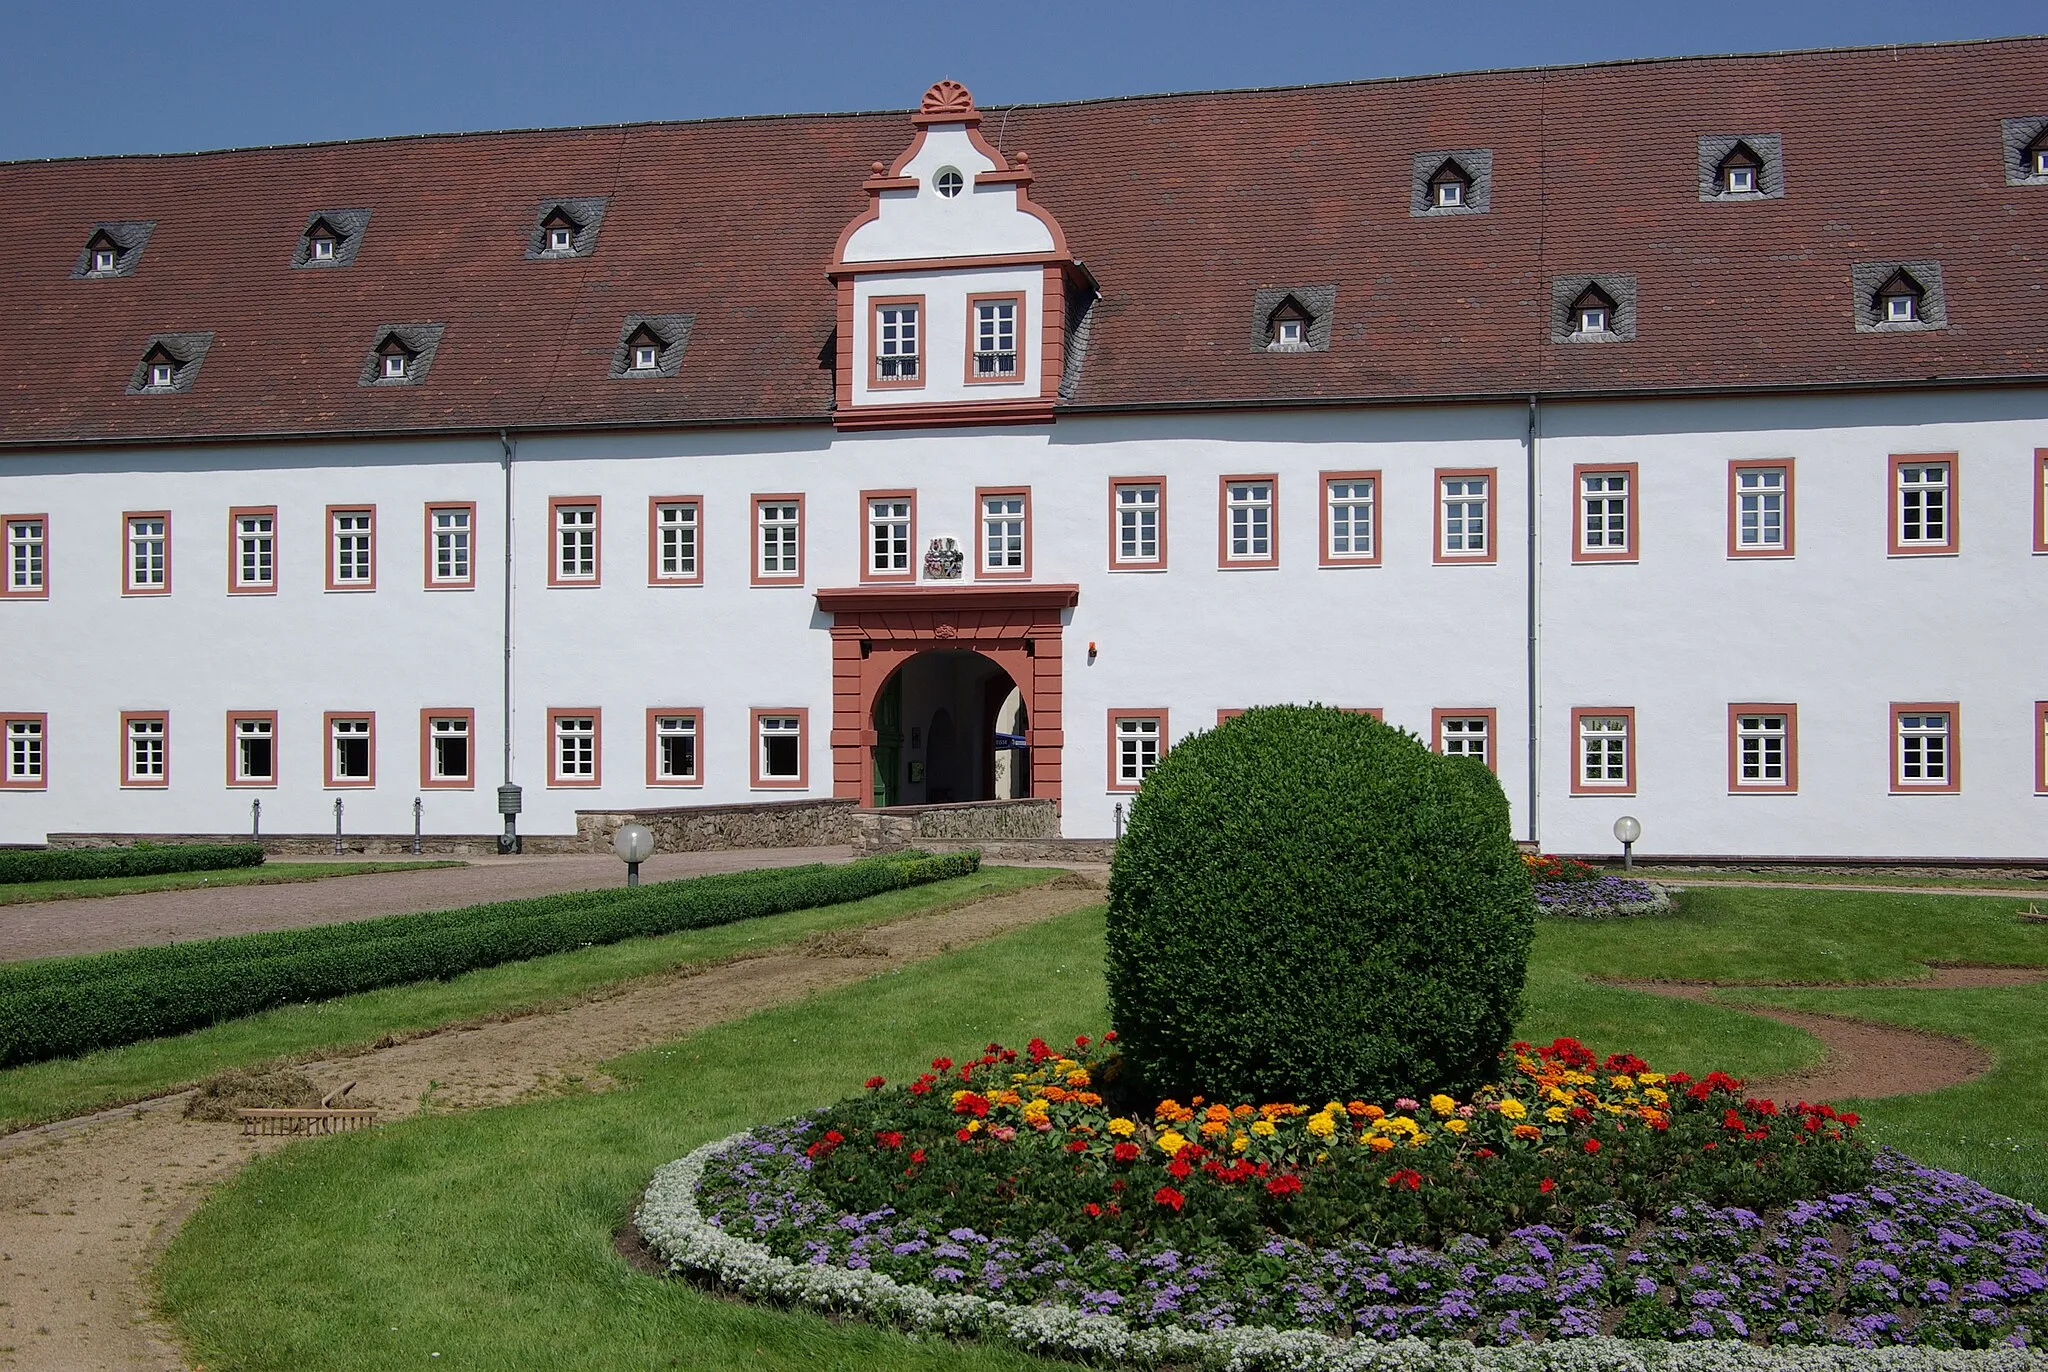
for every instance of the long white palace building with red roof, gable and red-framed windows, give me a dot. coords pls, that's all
(1672, 435)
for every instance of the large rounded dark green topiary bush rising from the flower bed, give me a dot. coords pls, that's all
(1312, 906)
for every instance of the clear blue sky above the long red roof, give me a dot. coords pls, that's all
(181, 75)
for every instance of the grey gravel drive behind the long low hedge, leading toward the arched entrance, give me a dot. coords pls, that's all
(56, 929)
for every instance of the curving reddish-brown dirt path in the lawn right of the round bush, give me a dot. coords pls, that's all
(1867, 1060)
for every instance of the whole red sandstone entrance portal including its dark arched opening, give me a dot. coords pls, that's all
(1002, 642)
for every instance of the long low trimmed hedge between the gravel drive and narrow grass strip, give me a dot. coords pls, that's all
(69, 1006)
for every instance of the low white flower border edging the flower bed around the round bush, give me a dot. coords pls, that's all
(677, 1230)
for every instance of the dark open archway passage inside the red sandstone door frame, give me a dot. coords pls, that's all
(951, 726)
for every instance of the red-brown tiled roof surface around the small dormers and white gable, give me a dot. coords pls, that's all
(1181, 206)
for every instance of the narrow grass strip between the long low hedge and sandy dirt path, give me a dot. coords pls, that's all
(118, 1076)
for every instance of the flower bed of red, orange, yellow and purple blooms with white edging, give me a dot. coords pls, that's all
(1576, 1203)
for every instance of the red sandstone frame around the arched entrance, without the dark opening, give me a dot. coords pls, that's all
(878, 630)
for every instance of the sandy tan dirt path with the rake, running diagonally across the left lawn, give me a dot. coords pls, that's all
(87, 1205)
